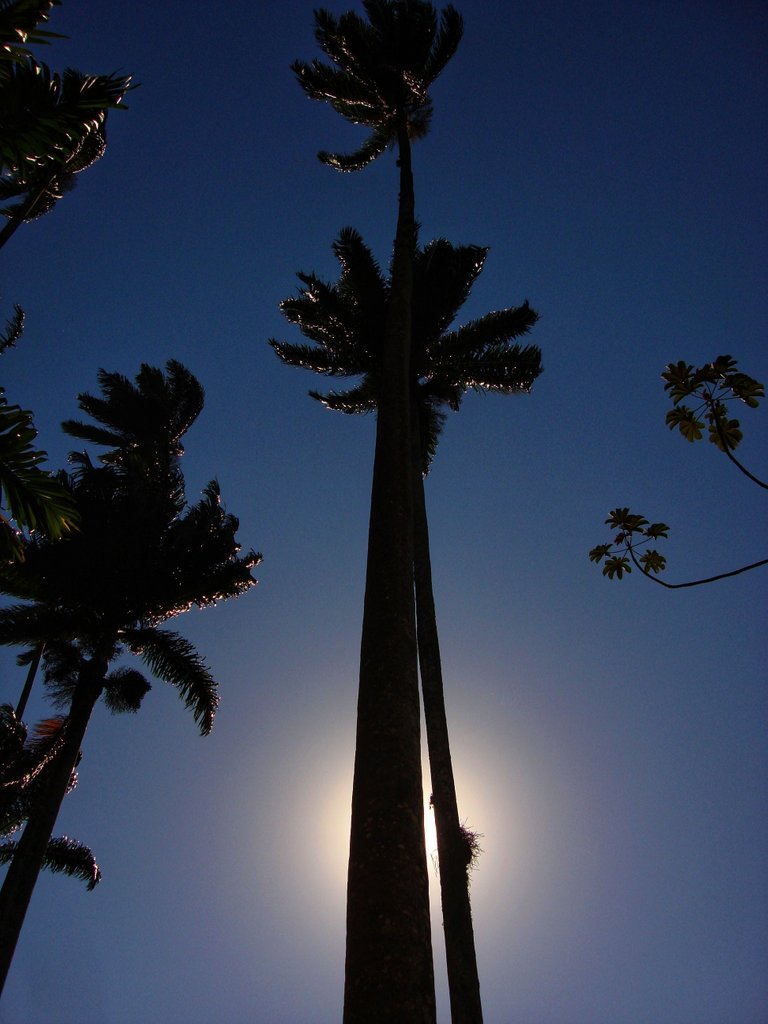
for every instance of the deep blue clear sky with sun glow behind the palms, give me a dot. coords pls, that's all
(609, 739)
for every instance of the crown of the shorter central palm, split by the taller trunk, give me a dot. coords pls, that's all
(345, 322)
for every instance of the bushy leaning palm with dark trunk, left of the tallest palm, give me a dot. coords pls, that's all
(141, 558)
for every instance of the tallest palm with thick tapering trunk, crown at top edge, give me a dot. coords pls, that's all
(380, 73)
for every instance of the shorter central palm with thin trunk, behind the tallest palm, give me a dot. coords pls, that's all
(345, 323)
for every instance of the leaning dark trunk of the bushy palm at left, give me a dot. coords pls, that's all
(25, 868)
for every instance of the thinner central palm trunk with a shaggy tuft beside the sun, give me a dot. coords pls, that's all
(453, 851)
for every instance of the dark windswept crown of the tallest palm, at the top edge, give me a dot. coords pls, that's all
(381, 70)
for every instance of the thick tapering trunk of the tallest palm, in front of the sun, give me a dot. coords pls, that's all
(390, 974)
